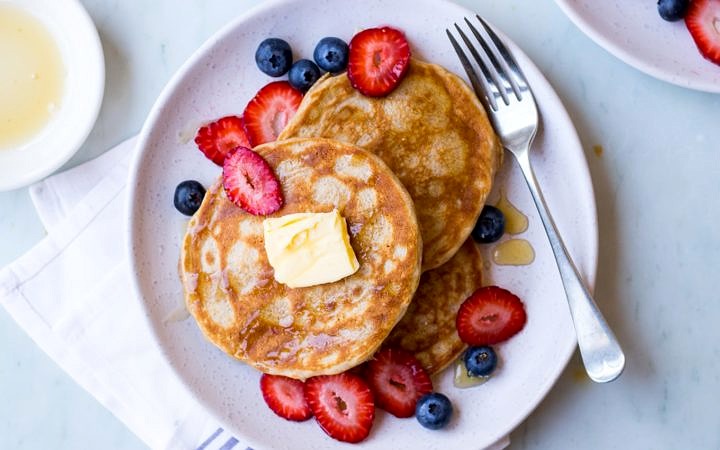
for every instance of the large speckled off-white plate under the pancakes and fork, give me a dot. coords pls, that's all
(220, 79)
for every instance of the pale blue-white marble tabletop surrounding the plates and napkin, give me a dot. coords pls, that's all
(657, 185)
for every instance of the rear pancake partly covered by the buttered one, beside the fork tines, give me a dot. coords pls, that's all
(433, 133)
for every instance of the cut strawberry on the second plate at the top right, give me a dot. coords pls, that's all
(703, 21)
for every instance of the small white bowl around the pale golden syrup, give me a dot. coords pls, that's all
(82, 57)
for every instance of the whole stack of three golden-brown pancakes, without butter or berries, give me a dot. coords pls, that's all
(410, 172)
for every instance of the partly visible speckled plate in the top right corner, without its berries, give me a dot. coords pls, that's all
(634, 32)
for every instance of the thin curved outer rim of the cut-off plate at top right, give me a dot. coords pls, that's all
(584, 25)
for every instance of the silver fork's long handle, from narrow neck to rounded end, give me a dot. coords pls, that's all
(602, 356)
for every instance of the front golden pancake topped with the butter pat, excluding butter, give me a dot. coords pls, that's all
(229, 285)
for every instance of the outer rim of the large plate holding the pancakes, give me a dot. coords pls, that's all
(141, 148)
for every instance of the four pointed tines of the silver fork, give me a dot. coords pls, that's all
(502, 78)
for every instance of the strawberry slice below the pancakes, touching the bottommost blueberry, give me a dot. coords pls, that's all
(398, 380)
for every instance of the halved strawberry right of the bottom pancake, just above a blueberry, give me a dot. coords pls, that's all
(490, 315)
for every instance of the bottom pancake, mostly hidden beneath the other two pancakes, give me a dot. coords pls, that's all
(428, 328)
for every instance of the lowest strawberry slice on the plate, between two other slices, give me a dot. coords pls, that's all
(342, 404)
